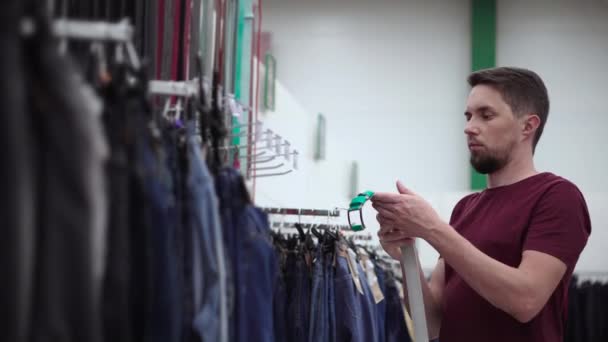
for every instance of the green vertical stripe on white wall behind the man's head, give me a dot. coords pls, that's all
(483, 54)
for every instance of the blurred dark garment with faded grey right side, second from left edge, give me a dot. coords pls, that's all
(71, 197)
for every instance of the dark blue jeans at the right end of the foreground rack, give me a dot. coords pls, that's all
(252, 259)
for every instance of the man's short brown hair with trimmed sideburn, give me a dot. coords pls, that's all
(523, 90)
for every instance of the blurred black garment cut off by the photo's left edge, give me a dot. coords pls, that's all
(16, 180)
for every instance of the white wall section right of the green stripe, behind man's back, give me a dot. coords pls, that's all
(566, 42)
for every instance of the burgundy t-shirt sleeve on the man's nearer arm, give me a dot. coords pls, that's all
(560, 224)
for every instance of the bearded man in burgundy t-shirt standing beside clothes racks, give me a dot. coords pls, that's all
(508, 253)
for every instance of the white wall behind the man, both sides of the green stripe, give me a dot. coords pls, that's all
(390, 77)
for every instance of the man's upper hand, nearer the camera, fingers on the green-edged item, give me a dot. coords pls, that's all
(406, 213)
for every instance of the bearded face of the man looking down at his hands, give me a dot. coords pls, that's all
(491, 129)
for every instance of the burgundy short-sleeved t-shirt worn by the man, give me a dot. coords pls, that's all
(544, 213)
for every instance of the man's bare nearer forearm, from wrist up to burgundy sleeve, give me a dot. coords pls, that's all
(521, 292)
